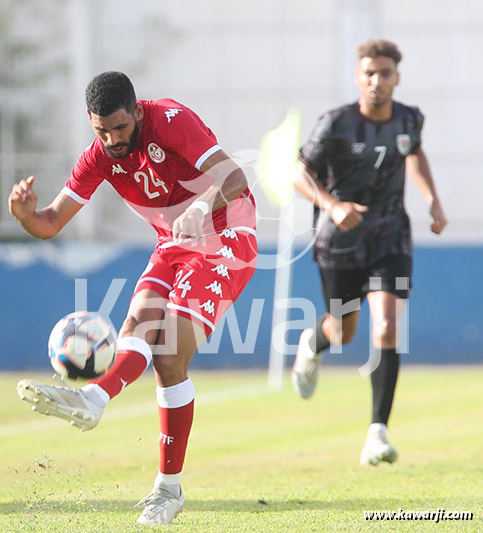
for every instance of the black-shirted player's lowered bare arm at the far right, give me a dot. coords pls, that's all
(418, 168)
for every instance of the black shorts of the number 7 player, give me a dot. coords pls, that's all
(391, 273)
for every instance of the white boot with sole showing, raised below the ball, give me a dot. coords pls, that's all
(62, 402)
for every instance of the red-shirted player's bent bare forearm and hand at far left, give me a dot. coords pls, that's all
(43, 223)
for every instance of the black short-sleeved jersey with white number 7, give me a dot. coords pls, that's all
(359, 160)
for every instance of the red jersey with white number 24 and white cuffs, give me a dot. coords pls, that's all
(162, 176)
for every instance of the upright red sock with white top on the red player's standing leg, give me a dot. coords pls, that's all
(176, 406)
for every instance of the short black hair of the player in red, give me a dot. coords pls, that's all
(108, 92)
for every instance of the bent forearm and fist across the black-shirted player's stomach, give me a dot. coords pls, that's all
(346, 215)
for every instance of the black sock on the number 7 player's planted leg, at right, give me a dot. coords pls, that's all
(384, 380)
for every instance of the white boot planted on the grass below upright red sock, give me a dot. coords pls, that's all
(161, 506)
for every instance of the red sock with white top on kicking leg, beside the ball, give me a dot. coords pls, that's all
(133, 357)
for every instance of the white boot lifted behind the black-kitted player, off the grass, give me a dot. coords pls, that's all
(305, 370)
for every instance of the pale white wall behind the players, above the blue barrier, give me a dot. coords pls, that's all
(241, 66)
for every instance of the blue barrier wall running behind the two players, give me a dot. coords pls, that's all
(37, 283)
